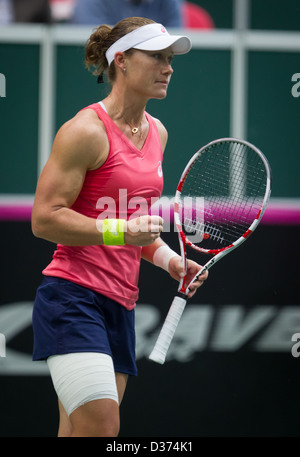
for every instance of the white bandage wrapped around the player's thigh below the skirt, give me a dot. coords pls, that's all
(82, 377)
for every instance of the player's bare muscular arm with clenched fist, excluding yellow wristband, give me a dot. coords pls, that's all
(80, 145)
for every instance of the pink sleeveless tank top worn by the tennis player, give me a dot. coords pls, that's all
(124, 187)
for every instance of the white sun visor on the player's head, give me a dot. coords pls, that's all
(150, 37)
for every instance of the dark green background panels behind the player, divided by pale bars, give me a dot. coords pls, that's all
(196, 110)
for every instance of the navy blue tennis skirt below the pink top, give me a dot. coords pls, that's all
(70, 318)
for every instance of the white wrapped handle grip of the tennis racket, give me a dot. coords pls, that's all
(165, 337)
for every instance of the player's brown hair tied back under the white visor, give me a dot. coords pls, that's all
(104, 37)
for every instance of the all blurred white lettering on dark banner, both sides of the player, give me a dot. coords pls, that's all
(224, 329)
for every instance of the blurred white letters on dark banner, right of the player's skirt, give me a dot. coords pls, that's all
(204, 327)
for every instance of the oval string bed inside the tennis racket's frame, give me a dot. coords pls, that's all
(222, 194)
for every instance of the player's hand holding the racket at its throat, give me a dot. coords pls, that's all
(176, 271)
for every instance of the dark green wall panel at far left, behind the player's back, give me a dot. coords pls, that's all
(19, 118)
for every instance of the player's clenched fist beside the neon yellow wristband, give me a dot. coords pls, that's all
(143, 230)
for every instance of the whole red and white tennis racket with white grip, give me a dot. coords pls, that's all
(220, 200)
